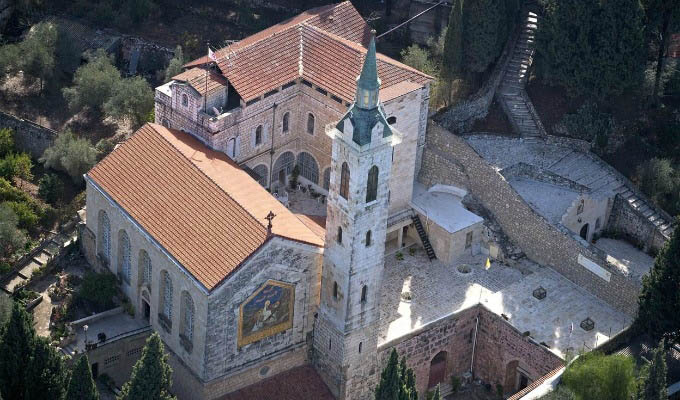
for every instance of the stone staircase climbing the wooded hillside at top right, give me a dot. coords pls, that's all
(511, 91)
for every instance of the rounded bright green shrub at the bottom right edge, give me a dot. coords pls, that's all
(595, 376)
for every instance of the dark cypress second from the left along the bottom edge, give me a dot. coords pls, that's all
(47, 375)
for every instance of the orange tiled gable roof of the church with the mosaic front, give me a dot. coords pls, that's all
(200, 206)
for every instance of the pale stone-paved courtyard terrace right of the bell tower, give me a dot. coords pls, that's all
(438, 290)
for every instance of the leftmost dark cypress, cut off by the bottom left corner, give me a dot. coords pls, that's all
(17, 343)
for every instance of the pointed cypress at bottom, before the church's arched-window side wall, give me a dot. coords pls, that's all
(151, 376)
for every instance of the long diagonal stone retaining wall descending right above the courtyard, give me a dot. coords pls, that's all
(449, 160)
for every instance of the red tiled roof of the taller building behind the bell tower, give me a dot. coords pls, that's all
(324, 46)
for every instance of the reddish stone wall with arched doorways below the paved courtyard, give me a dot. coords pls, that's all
(498, 346)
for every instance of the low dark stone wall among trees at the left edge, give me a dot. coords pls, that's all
(28, 136)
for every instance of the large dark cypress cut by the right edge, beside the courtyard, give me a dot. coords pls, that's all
(660, 298)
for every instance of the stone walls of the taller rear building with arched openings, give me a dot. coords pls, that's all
(233, 132)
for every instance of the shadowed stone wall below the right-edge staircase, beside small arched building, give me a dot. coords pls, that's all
(624, 219)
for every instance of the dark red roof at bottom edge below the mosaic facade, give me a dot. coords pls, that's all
(301, 383)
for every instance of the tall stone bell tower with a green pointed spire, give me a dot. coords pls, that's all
(345, 335)
